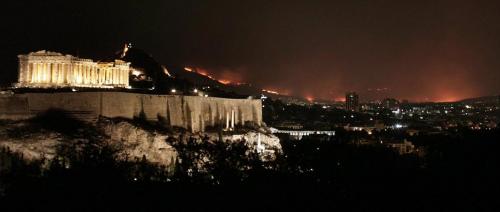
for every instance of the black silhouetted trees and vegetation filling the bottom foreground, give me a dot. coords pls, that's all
(458, 172)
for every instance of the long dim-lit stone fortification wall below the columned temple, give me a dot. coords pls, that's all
(191, 112)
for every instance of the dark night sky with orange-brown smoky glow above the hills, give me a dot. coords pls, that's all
(416, 50)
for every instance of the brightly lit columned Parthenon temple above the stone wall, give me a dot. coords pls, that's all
(44, 69)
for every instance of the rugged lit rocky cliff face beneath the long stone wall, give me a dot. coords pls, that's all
(132, 141)
